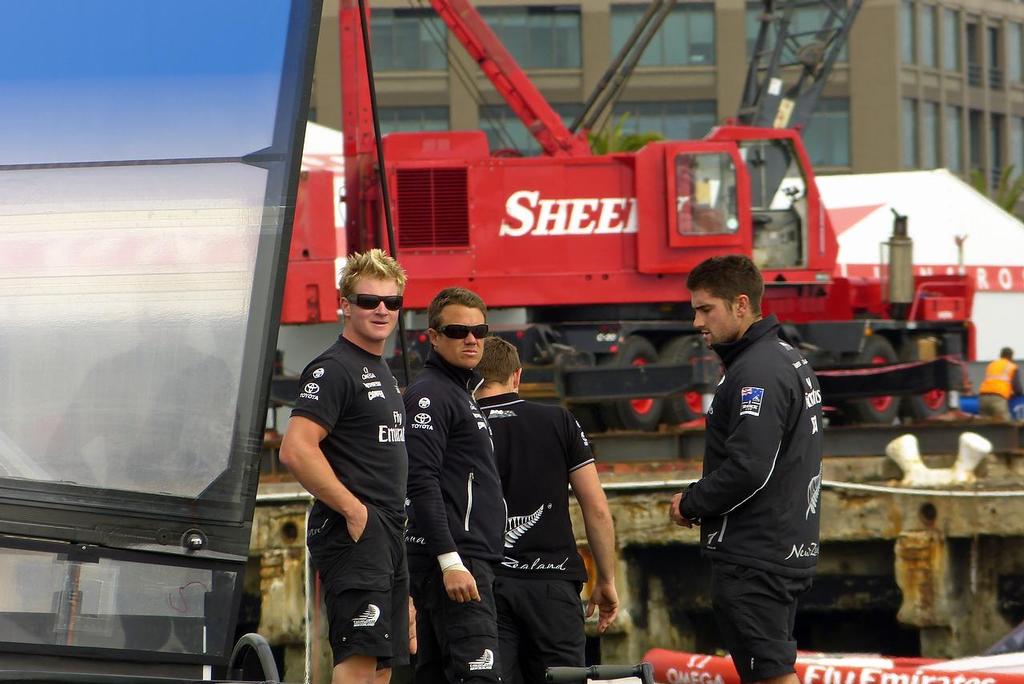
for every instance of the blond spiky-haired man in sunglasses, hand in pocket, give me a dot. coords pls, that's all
(347, 445)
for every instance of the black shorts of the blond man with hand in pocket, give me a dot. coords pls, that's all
(366, 586)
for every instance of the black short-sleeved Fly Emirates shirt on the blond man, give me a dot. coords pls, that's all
(353, 395)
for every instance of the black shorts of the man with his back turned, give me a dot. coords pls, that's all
(540, 625)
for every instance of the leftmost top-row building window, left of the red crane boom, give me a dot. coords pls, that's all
(408, 40)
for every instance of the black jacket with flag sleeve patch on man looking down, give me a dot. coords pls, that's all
(759, 498)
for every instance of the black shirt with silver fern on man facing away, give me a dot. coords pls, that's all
(537, 446)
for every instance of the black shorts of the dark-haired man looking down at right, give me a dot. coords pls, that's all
(756, 612)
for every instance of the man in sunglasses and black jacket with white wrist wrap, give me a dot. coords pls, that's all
(456, 510)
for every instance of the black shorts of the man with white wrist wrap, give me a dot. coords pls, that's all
(458, 643)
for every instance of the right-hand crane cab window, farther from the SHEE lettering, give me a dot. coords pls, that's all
(779, 204)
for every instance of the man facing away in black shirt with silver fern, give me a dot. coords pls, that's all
(541, 451)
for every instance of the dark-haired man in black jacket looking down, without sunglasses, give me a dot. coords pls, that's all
(758, 500)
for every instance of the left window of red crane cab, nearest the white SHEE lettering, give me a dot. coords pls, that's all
(706, 194)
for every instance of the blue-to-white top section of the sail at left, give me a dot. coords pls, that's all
(102, 80)
